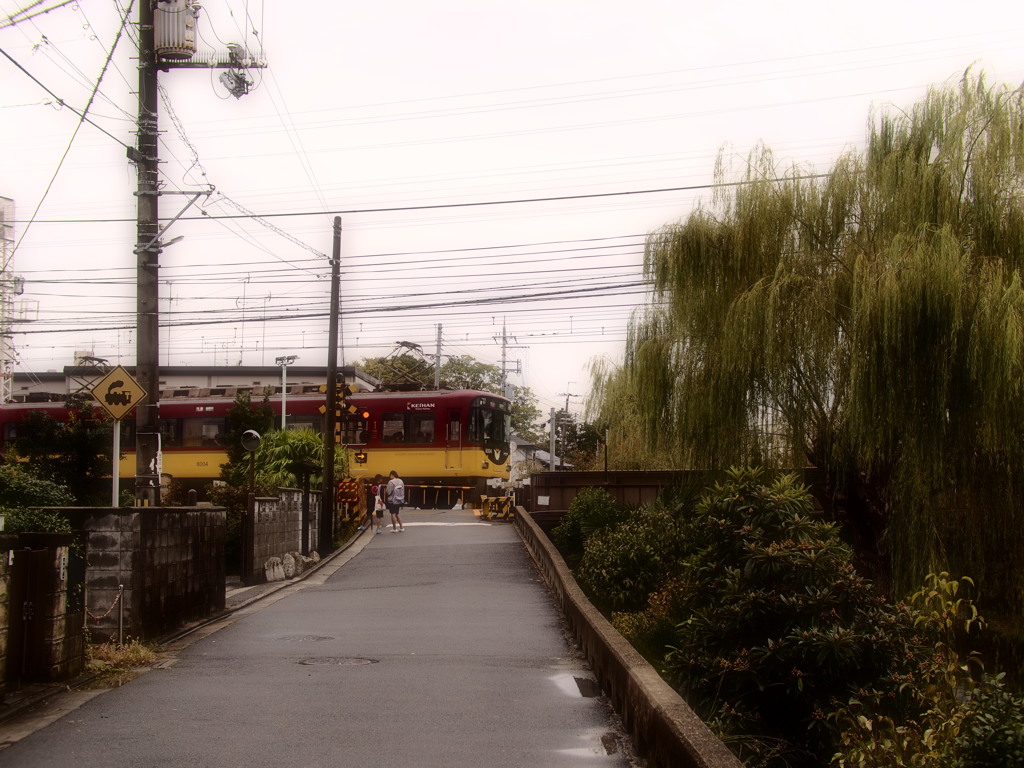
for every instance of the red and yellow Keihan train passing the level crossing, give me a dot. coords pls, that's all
(450, 447)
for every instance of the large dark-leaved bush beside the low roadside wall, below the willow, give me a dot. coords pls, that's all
(775, 624)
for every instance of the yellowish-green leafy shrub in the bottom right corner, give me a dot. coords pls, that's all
(953, 718)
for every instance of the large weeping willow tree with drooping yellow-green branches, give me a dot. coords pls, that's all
(868, 322)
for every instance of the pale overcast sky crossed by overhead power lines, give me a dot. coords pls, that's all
(496, 166)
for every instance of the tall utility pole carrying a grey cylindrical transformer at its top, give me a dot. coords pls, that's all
(166, 40)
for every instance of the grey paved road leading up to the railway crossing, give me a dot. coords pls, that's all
(438, 647)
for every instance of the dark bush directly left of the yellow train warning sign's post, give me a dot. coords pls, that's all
(75, 453)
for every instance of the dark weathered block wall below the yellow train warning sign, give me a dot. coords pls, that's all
(151, 570)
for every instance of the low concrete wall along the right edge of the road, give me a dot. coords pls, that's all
(664, 729)
